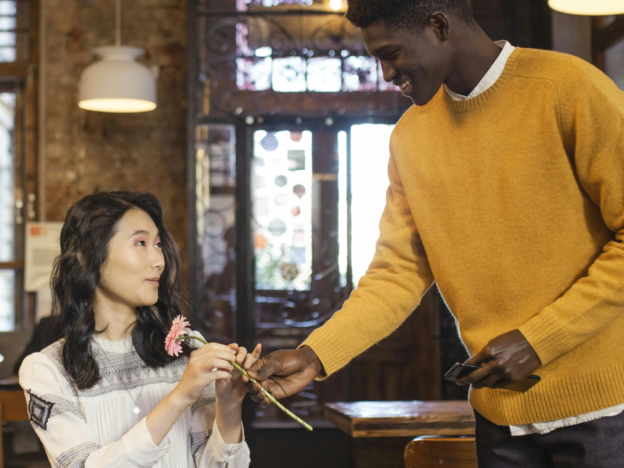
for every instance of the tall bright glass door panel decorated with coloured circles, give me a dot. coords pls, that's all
(282, 209)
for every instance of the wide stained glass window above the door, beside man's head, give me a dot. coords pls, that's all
(272, 57)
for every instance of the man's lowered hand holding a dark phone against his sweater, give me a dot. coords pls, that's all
(505, 360)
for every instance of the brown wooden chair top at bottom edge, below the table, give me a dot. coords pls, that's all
(445, 452)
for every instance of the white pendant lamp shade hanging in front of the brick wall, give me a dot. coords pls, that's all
(117, 83)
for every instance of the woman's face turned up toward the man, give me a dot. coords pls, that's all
(130, 274)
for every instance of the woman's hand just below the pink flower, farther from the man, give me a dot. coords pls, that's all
(207, 364)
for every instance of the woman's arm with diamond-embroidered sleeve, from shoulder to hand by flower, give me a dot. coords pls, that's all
(68, 439)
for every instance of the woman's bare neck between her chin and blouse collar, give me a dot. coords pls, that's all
(115, 318)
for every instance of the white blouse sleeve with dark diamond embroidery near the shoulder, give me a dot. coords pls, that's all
(69, 441)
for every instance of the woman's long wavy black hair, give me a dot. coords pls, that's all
(89, 226)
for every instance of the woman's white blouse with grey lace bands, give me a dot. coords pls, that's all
(96, 428)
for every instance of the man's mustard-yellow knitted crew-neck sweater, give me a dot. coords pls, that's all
(514, 203)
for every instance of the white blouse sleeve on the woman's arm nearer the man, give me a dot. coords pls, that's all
(207, 446)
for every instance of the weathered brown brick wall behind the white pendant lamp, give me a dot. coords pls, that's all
(86, 151)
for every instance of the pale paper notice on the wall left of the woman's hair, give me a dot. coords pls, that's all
(42, 247)
